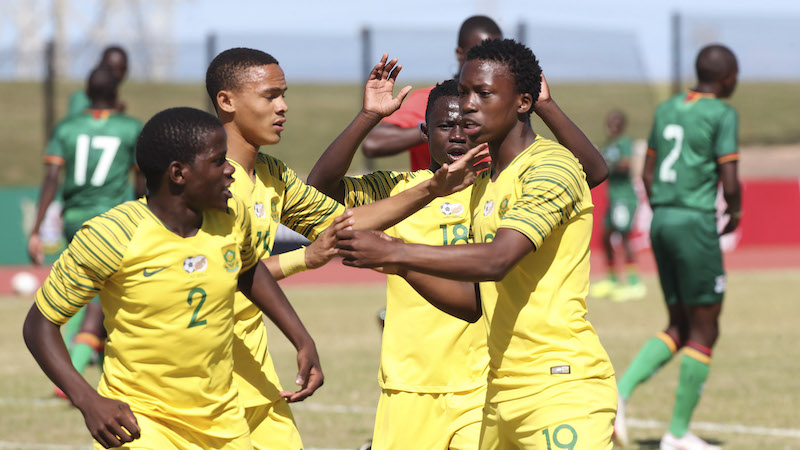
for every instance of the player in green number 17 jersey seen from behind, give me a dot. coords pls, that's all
(95, 150)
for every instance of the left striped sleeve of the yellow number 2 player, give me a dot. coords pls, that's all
(80, 273)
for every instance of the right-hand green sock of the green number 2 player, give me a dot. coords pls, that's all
(694, 371)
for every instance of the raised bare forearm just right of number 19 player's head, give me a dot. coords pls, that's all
(571, 137)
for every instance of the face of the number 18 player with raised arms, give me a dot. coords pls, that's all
(446, 137)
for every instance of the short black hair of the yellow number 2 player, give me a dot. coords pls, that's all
(175, 134)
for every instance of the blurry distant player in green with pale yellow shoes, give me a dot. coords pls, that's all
(622, 202)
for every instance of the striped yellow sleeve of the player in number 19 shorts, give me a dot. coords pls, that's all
(551, 194)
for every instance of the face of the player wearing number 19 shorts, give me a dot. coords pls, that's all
(489, 101)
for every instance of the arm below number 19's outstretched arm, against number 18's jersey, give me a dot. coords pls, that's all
(459, 299)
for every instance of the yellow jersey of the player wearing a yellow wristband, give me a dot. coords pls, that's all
(277, 196)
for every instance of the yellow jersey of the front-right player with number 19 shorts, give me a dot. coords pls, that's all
(535, 316)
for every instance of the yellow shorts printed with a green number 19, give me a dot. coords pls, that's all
(576, 415)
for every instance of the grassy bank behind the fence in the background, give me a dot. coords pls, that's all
(317, 113)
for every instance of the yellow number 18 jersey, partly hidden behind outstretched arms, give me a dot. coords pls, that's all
(424, 349)
